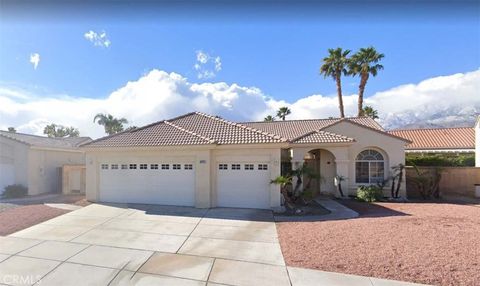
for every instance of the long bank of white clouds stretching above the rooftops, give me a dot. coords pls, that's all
(160, 95)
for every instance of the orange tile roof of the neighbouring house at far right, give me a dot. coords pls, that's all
(438, 138)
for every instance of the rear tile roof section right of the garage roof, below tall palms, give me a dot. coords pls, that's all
(292, 129)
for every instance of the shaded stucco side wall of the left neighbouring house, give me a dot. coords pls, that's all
(44, 168)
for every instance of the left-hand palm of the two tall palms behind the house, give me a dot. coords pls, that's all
(334, 66)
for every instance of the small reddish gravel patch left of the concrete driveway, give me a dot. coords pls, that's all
(21, 217)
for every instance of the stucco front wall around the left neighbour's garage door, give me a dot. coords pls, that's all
(16, 153)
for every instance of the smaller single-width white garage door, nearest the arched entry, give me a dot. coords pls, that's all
(243, 185)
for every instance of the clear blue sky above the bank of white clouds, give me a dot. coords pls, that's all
(276, 50)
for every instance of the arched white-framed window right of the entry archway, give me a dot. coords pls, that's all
(369, 167)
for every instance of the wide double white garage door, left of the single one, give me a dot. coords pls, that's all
(166, 183)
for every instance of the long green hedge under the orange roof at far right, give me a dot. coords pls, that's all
(441, 160)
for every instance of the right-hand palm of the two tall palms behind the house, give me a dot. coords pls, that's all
(364, 63)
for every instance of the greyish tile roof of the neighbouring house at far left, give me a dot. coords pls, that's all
(46, 142)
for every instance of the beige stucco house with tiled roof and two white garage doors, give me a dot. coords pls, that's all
(205, 161)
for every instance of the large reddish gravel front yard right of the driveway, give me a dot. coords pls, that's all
(431, 243)
